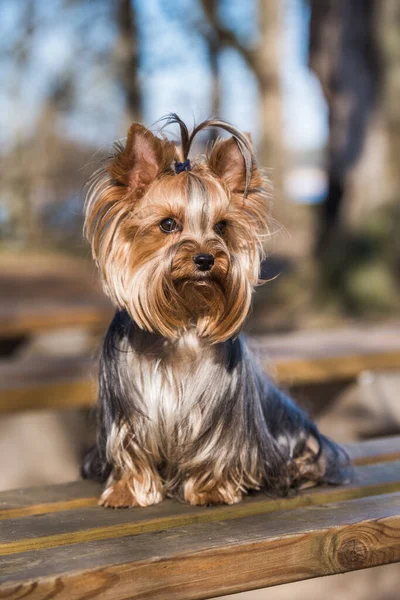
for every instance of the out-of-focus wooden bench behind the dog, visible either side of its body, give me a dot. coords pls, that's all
(295, 359)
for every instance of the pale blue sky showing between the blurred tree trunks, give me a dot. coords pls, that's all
(174, 73)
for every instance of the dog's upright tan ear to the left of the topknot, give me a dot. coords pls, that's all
(143, 158)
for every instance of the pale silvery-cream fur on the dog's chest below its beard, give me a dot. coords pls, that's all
(178, 385)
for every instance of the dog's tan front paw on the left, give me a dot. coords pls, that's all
(128, 493)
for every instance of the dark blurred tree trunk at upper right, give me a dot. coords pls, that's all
(345, 56)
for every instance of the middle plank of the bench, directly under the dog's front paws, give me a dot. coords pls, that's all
(93, 524)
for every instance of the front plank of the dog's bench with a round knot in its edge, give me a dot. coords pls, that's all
(210, 560)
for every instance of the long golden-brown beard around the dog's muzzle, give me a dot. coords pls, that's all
(165, 300)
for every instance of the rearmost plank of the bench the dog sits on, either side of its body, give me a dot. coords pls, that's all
(80, 494)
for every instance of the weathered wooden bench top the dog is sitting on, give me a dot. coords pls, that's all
(56, 543)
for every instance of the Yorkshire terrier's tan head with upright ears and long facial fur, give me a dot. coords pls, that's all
(178, 250)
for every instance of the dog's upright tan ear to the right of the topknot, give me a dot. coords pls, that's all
(227, 162)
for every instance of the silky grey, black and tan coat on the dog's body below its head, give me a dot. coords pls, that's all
(260, 430)
